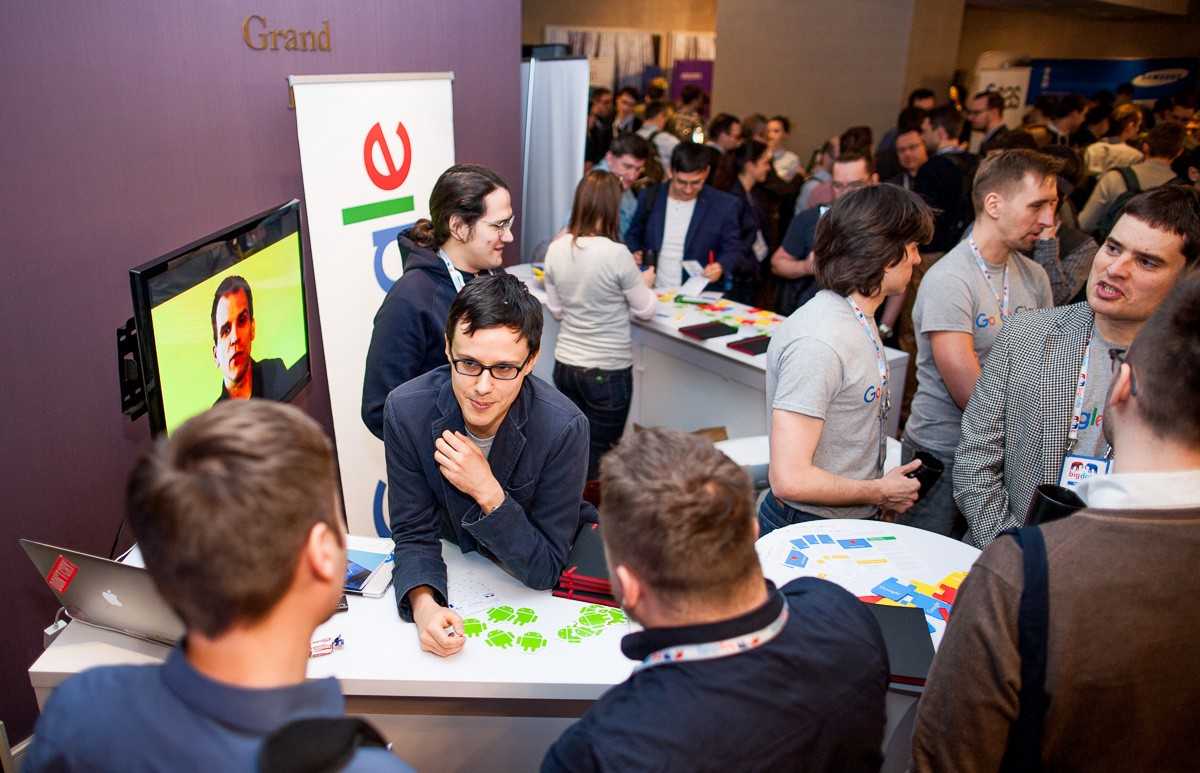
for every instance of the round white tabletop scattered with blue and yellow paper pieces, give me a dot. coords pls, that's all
(881, 564)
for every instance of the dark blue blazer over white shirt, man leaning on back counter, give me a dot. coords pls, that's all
(716, 225)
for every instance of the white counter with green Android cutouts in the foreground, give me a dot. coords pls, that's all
(484, 709)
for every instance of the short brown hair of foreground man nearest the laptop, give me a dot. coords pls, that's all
(223, 510)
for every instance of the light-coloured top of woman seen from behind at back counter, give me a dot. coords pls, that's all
(591, 279)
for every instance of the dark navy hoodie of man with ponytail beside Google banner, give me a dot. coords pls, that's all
(410, 329)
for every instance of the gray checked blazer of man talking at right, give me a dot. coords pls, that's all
(1015, 428)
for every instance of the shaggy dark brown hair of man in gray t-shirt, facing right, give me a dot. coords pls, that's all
(866, 232)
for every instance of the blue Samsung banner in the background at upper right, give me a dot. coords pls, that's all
(1151, 79)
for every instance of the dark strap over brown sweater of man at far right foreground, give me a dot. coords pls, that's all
(1024, 751)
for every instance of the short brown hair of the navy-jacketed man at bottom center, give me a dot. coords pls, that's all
(679, 513)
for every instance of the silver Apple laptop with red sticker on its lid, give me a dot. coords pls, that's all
(106, 595)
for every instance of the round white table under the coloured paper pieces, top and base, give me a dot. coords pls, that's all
(913, 556)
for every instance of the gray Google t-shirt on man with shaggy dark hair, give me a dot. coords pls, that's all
(821, 364)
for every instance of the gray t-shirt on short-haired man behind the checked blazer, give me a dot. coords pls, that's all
(955, 296)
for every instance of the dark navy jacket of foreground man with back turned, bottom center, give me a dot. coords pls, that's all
(812, 699)
